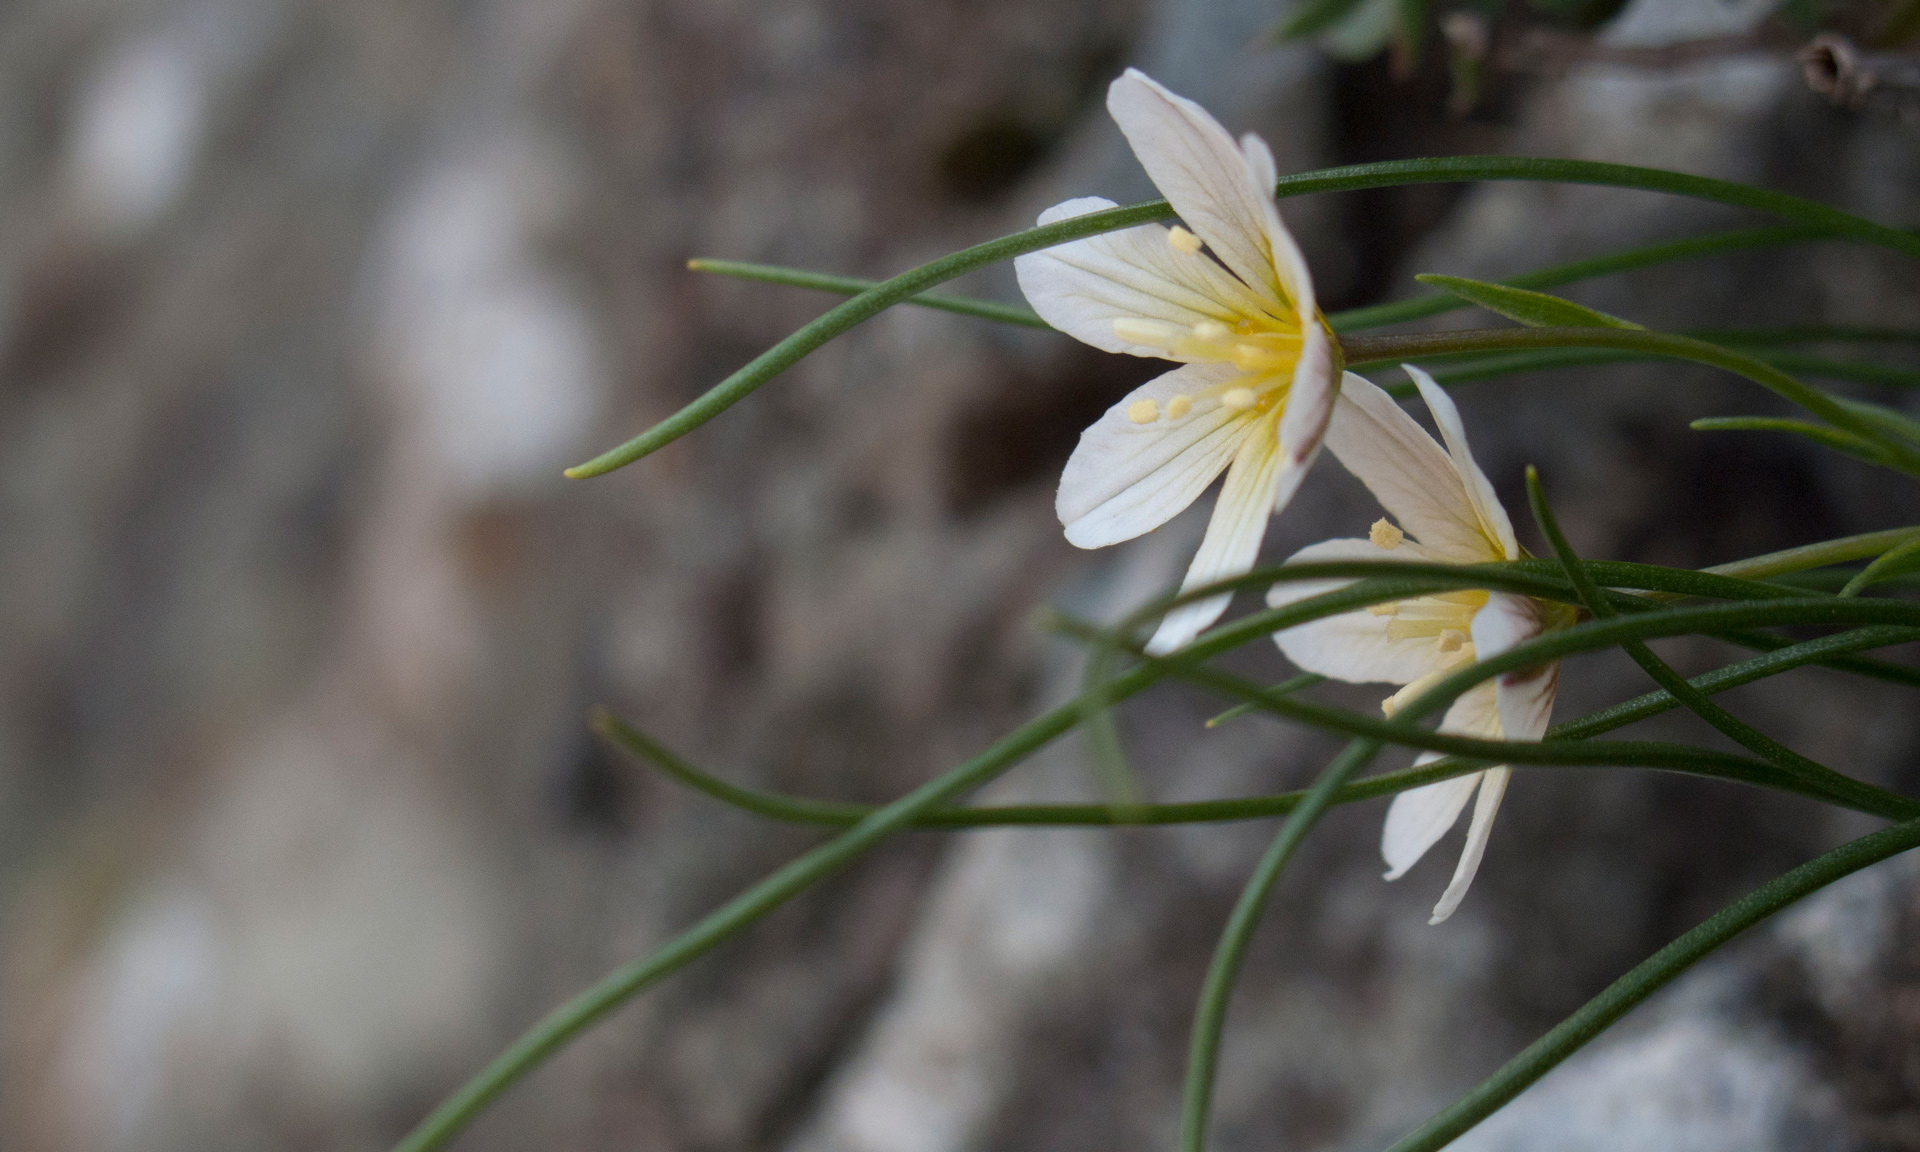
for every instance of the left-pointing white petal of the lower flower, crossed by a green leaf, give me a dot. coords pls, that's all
(1353, 646)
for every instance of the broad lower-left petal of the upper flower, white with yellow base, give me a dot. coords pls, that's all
(1128, 479)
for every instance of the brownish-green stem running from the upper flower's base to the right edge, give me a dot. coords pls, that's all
(1376, 350)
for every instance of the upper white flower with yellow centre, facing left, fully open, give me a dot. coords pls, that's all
(1234, 302)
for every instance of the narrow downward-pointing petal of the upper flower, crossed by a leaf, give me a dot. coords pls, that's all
(1232, 539)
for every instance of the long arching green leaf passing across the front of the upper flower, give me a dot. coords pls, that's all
(1345, 180)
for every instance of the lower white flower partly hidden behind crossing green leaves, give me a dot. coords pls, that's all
(1451, 517)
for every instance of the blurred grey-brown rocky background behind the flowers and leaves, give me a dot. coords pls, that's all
(302, 310)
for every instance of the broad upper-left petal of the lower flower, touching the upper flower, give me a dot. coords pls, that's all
(1408, 473)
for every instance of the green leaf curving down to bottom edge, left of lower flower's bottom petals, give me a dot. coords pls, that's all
(1211, 1019)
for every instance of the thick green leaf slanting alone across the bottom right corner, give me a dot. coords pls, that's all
(1650, 976)
